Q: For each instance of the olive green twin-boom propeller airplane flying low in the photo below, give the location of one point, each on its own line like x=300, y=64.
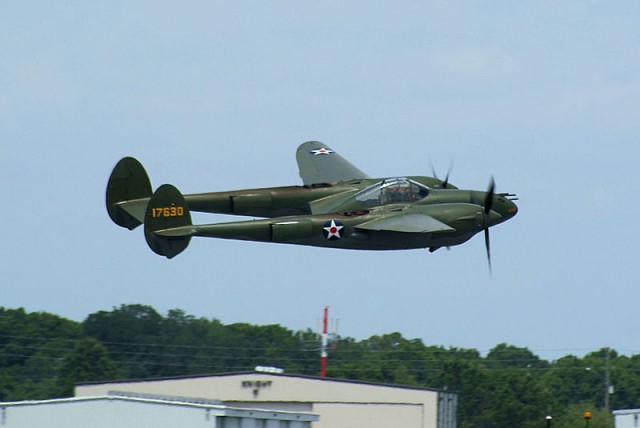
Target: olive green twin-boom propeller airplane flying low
x=338, y=206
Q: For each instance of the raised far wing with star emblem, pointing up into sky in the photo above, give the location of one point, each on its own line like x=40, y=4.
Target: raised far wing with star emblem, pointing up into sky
x=318, y=163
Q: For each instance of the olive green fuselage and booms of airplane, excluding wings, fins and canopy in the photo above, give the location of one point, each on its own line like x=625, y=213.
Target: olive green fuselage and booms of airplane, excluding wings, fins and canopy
x=290, y=216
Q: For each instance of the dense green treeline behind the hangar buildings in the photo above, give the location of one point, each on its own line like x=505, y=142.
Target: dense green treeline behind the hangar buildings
x=43, y=356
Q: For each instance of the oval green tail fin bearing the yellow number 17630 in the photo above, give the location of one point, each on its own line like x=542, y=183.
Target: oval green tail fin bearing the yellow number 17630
x=167, y=225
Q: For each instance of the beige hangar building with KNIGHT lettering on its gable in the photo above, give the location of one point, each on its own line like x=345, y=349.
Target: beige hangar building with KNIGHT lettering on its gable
x=339, y=403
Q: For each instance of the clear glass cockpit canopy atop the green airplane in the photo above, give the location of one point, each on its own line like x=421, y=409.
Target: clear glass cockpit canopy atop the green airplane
x=391, y=191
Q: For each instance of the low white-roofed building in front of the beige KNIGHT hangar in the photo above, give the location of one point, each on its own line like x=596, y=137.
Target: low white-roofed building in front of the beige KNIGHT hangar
x=137, y=410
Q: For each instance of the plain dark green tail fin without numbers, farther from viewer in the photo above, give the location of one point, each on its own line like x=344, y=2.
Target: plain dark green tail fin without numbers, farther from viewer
x=129, y=181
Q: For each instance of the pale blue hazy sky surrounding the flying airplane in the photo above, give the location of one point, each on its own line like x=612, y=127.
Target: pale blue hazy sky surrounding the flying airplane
x=211, y=96
